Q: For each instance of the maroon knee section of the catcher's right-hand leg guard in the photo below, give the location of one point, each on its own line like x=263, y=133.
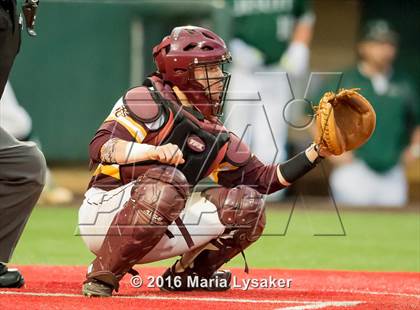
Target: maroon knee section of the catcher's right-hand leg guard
x=240, y=208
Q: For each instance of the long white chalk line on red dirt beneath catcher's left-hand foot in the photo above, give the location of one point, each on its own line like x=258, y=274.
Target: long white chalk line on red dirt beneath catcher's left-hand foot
x=204, y=299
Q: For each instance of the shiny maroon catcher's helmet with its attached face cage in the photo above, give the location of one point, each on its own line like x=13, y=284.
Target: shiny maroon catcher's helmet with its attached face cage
x=186, y=48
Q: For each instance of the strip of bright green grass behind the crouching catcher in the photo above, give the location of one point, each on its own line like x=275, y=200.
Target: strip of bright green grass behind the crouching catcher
x=377, y=241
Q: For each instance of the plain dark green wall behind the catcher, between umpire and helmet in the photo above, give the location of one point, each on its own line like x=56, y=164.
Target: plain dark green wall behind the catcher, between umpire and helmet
x=86, y=55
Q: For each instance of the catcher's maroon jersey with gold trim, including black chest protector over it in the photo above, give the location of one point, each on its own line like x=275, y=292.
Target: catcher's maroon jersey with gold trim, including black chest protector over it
x=153, y=114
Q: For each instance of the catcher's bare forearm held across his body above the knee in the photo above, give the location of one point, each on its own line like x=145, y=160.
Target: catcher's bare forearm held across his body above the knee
x=118, y=151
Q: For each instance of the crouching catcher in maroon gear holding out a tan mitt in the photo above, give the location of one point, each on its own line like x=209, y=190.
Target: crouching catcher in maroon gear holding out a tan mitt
x=159, y=141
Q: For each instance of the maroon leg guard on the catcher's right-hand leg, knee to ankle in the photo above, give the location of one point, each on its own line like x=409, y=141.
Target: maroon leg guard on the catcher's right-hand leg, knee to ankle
x=241, y=210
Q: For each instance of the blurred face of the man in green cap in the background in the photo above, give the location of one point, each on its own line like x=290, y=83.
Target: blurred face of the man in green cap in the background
x=379, y=54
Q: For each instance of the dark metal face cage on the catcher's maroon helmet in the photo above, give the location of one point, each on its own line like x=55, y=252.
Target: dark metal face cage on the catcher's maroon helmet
x=224, y=80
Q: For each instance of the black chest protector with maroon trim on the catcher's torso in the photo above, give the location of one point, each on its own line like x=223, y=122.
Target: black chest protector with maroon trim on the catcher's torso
x=203, y=144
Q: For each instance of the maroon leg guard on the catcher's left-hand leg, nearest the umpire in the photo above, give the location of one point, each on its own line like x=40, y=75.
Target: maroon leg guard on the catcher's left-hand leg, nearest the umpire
x=156, y=200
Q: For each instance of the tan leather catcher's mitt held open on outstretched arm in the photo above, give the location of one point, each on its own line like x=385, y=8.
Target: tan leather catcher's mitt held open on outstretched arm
x=344, y=121
